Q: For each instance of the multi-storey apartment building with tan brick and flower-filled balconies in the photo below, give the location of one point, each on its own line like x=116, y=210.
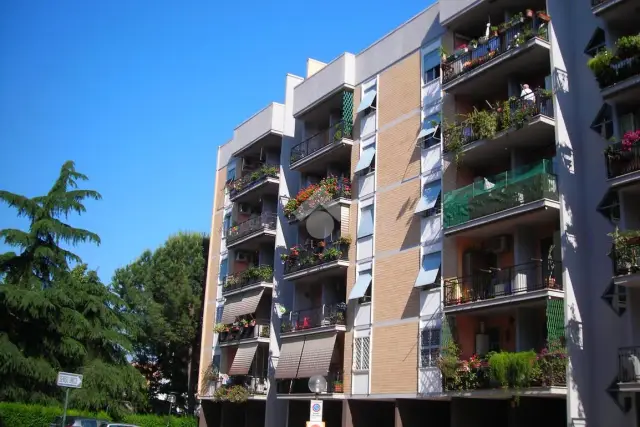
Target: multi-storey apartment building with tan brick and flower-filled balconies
x=440, y=229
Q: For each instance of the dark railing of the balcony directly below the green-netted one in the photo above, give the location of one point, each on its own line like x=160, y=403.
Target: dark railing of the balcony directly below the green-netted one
x=502, y=282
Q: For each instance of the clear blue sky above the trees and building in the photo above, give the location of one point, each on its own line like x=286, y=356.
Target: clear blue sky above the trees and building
x=141, y=93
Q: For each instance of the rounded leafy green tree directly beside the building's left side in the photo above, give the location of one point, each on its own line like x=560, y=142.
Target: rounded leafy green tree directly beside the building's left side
x=163, y=291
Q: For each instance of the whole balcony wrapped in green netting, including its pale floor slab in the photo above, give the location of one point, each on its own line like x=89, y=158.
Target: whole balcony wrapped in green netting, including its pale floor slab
x=528, y=194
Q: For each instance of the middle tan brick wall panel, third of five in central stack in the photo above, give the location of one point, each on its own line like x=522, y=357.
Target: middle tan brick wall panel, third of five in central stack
x=396, y=225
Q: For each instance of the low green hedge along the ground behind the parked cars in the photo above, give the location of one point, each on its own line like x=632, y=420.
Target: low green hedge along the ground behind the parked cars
x=22, y=415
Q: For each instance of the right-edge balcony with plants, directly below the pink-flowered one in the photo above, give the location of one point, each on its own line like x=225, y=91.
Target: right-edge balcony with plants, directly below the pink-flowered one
x=626, y=257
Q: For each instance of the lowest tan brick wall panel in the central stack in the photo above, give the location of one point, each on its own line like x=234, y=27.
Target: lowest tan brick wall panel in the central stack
x=395, y=359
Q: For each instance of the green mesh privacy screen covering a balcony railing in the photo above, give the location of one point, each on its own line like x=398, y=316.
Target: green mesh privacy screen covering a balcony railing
x=497, y=193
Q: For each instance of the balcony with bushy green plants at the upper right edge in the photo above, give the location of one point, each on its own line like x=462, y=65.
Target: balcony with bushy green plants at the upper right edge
x=618, y=72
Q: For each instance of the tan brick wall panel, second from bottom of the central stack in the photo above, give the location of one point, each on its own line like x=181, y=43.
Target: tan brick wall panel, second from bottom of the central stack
x=394, y=296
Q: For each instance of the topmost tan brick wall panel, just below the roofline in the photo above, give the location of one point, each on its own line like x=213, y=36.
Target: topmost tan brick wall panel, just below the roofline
x=399, y=90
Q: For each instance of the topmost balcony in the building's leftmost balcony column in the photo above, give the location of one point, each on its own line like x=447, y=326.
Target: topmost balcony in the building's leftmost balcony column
x=253, y=186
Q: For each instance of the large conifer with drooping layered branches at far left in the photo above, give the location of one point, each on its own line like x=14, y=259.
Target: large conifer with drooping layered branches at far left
x=54, y=318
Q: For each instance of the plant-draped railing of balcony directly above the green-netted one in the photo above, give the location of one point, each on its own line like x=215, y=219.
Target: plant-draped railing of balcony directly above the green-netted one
x=512, y=113
